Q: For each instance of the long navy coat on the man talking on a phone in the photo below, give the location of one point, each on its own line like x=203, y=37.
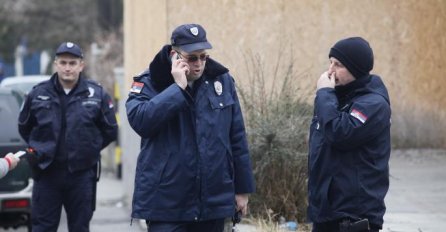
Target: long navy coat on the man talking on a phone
x=194, y=155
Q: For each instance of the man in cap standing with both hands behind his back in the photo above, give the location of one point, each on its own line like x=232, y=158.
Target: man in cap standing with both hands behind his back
x=67, y=120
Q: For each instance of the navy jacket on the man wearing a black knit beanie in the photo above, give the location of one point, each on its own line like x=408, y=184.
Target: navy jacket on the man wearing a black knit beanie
x=349, y=152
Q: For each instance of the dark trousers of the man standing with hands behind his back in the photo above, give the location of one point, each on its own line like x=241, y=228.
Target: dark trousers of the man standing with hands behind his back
x=57, y=187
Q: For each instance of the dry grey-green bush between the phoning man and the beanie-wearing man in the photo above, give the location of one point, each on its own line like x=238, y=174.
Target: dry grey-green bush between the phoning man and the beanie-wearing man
x=277, y=118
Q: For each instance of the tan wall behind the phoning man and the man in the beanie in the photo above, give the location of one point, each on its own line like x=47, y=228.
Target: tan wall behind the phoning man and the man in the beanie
x=407, y=38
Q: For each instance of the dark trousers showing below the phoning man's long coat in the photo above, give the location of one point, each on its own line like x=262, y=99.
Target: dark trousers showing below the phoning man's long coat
x=203, y=226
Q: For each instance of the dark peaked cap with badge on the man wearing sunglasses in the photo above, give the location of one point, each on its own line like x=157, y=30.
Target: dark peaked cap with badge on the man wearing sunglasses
x=190, y=37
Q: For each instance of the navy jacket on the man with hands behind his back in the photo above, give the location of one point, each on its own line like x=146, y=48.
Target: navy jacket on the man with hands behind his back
x=90, y=123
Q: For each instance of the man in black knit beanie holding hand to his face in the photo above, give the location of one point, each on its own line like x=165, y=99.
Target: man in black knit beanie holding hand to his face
x=349, y=143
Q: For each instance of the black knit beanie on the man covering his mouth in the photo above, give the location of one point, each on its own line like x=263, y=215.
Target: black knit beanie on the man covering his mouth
x=355, y=54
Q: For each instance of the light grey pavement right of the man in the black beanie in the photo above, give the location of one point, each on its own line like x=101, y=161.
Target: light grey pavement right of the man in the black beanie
x=416, y=201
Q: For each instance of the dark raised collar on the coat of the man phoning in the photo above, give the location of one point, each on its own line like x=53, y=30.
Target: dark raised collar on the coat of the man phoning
x=160, y=69
